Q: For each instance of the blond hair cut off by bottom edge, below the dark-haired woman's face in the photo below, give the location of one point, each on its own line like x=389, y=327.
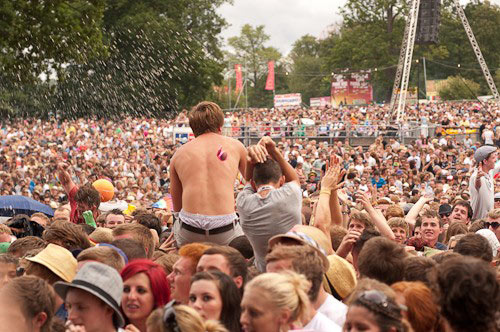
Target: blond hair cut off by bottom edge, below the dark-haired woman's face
x=188, y=320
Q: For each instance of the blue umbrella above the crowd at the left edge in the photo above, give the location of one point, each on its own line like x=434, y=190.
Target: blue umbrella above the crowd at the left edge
x=17, y=204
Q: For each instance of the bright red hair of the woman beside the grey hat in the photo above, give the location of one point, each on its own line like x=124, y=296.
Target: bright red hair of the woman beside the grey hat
x=156, y=275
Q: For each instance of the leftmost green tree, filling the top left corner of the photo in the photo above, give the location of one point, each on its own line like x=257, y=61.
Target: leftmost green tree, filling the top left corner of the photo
x=38, y=37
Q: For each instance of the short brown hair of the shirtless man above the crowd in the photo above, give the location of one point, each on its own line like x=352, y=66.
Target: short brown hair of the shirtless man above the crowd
x=206, y=117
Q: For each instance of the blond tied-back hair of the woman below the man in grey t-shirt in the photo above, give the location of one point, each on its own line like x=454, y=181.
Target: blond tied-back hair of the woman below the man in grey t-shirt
x=285, y=290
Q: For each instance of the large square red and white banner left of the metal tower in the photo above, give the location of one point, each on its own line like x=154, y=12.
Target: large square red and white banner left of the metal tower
x=351, y=89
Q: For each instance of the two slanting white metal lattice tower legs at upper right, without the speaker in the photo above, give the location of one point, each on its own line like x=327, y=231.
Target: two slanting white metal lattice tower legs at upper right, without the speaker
x=400, y=87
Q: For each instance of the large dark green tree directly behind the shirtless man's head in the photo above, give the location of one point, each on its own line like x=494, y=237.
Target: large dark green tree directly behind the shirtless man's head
x=162, y=57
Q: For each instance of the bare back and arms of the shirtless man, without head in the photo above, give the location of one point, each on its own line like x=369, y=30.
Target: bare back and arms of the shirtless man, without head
x=206, y=182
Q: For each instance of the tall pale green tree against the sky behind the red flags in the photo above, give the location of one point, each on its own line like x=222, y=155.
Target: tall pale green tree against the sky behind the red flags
x=249, y=48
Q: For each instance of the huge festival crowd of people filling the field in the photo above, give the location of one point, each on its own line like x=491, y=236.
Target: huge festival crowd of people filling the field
x=293, y=233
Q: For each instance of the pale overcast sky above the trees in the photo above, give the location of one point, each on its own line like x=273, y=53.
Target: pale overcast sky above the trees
x=285, y=20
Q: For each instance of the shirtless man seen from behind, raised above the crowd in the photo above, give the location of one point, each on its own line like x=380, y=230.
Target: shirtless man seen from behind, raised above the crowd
x=202, y=177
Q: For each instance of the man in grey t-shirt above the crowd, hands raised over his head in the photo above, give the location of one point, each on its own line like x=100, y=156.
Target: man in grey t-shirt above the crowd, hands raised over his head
x=272, y=203
